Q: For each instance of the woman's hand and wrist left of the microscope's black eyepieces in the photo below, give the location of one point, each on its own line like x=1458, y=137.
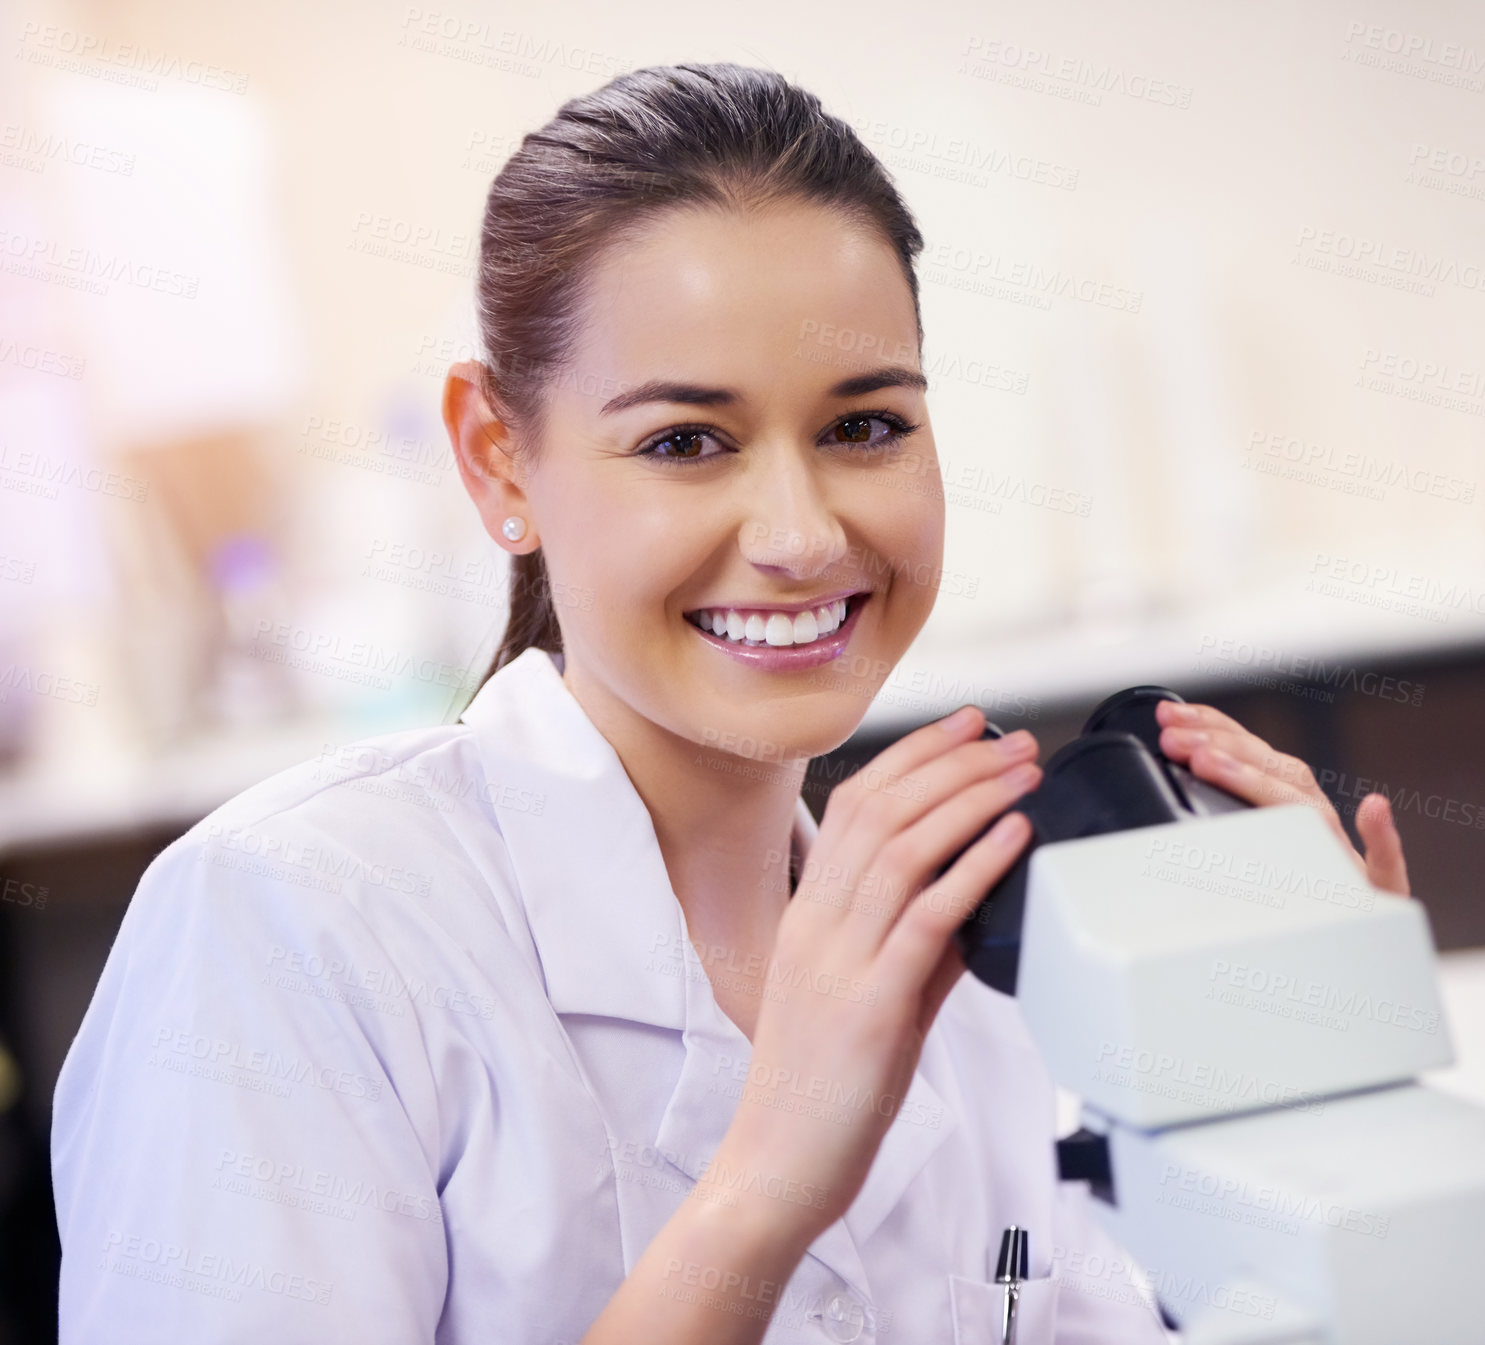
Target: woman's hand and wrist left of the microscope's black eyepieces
x=865, y=958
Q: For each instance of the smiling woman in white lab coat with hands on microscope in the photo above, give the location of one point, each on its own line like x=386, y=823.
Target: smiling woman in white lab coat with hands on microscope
x=535, y=1028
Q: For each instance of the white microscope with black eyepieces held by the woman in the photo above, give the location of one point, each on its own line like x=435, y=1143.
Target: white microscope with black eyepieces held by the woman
x=1244, y=1019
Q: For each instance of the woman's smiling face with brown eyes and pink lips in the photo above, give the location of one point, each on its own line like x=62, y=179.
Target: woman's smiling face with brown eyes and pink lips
x=746, y=492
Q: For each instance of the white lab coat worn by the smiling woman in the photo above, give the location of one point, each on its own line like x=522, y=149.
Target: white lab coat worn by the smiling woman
x=409, y=1044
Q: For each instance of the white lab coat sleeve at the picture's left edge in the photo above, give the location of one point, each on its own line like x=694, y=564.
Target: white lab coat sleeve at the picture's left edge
x=246, y=1145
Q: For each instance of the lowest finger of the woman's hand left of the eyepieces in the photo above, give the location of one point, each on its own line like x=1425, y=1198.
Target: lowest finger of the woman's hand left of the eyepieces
x=916, y=945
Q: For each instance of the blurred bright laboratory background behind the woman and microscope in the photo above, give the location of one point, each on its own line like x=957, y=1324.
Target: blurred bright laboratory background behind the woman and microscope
x=1205, y=308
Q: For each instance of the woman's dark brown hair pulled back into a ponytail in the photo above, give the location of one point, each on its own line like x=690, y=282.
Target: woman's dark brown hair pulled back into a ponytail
x=657, y=139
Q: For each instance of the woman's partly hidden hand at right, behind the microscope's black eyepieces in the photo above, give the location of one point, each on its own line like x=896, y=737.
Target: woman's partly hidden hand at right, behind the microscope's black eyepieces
x=1220, y=750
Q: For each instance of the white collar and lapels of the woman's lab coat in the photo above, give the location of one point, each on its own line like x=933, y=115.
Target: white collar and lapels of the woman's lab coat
x=601, y=905
